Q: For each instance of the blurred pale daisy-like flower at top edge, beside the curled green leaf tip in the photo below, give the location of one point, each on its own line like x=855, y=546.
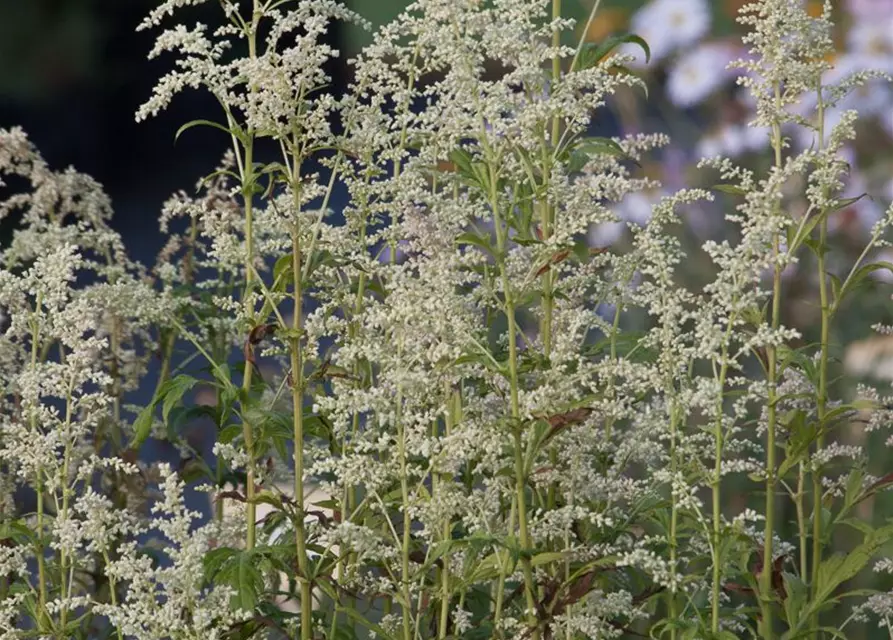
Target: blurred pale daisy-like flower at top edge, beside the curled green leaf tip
x=667, y=25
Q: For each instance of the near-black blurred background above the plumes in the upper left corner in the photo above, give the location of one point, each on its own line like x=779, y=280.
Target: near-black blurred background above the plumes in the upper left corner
x=72, y=75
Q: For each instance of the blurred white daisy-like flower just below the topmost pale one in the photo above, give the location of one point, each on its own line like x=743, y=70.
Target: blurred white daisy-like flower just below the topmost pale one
x=699, y=73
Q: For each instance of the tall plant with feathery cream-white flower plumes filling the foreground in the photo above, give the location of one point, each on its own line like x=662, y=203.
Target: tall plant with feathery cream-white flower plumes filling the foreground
x=462, y=419
